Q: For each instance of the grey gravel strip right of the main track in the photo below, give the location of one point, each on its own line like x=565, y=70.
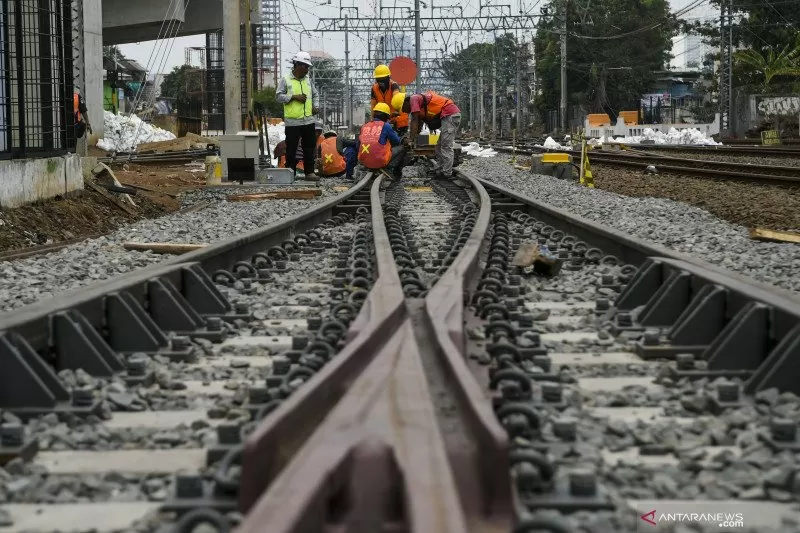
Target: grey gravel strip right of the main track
x=674, y=225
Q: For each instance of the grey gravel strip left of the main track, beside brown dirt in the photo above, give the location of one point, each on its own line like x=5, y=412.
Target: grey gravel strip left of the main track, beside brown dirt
x=33, y=279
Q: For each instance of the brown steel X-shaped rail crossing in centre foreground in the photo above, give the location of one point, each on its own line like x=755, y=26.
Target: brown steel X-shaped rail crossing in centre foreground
x=380, y=452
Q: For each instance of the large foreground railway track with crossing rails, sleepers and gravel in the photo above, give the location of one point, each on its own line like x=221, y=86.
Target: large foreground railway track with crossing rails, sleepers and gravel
x=376, y=363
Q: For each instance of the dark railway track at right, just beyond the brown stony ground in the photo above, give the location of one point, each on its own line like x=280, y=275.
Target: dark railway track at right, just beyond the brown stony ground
x=684, y=166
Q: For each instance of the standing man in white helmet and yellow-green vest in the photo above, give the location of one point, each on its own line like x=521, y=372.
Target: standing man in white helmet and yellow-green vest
x=296, y=93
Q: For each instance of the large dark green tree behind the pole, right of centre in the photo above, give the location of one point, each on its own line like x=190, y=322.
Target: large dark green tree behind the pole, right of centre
x=614, y=50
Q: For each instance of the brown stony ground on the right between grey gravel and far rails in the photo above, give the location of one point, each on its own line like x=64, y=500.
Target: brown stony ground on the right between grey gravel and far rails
x=748, y=204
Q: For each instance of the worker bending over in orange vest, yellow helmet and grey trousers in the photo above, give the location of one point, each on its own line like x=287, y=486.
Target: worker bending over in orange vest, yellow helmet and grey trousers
x=438, y=113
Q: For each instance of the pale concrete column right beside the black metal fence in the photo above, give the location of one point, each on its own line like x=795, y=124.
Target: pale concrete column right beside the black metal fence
x=93, y=64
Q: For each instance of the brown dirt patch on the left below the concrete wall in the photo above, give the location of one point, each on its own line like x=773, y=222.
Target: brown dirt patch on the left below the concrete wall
x=91, y=213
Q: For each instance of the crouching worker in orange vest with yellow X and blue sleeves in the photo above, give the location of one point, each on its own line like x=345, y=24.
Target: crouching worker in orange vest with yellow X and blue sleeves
x=374, y=151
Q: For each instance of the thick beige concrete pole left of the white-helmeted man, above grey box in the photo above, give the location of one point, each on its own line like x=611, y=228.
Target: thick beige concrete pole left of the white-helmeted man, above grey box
x=231, y=20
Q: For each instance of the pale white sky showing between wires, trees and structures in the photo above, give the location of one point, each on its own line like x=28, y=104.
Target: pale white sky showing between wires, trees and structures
x=299, y=15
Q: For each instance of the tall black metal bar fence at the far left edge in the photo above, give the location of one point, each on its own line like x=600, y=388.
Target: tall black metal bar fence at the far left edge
x=36, y=115
